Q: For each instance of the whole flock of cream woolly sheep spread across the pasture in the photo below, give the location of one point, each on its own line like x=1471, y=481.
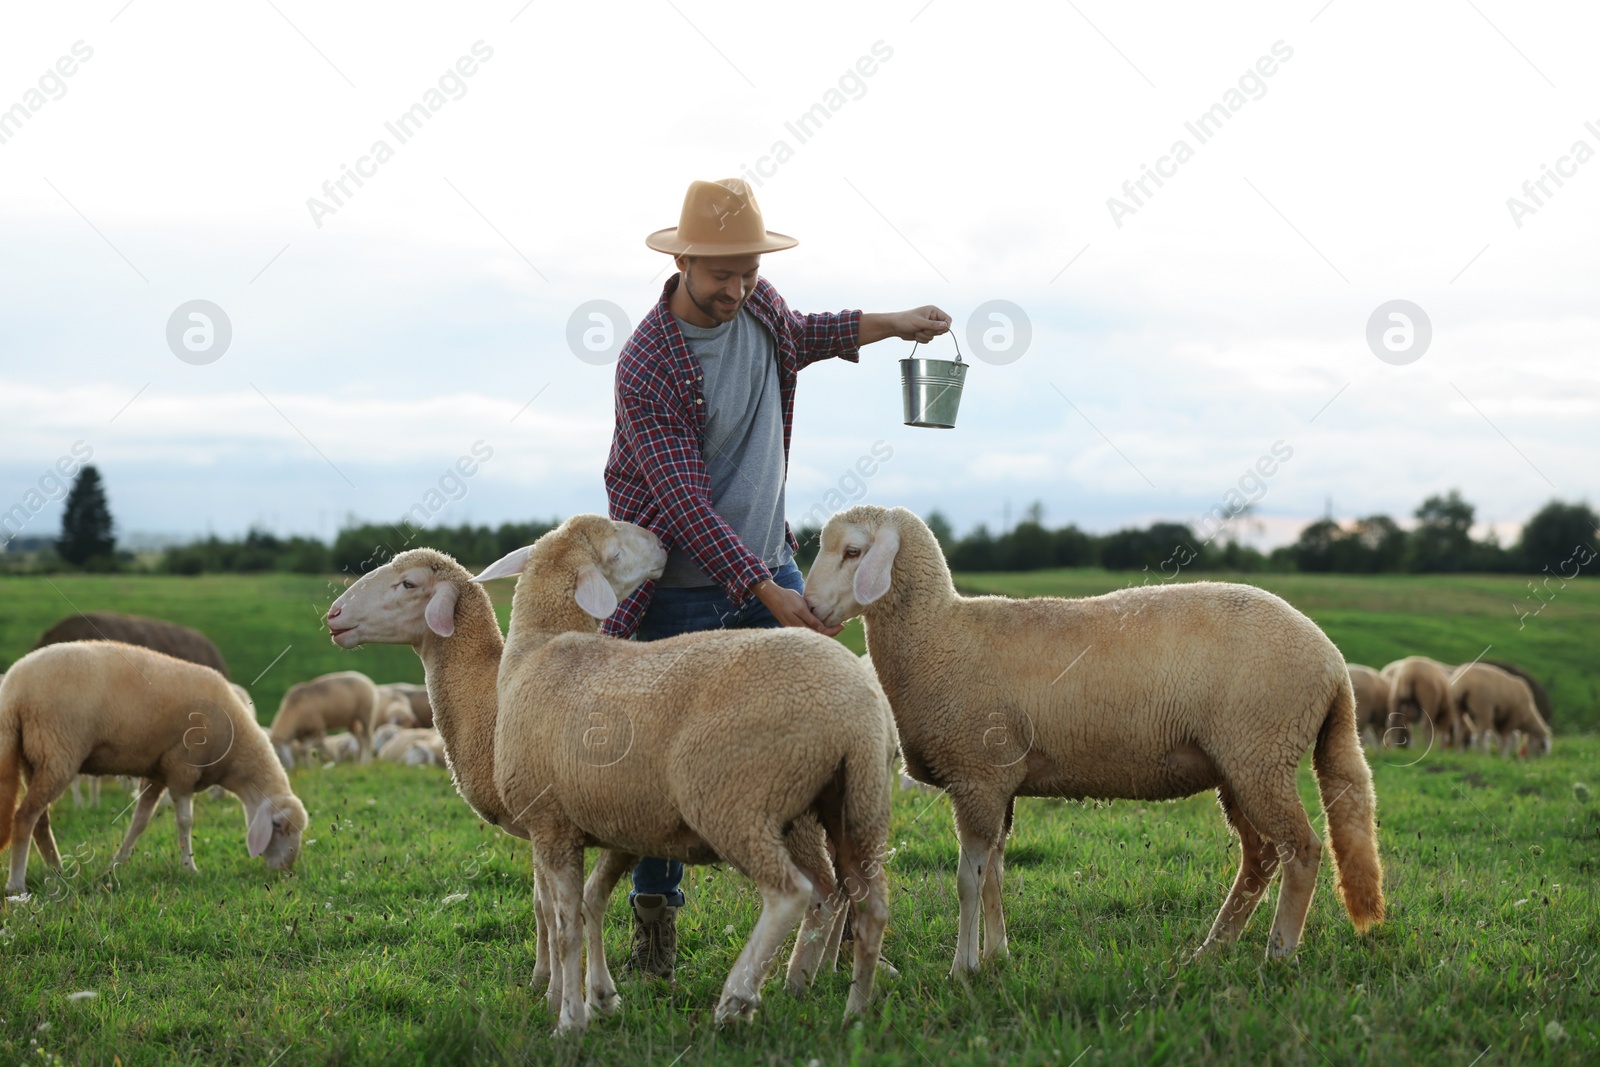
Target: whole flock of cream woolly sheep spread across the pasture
x=770, y=751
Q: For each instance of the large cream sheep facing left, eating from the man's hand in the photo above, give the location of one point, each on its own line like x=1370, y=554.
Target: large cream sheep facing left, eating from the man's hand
x=1150, y=693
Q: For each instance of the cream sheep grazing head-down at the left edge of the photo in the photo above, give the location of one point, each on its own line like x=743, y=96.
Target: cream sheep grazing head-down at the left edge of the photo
x=108, y=708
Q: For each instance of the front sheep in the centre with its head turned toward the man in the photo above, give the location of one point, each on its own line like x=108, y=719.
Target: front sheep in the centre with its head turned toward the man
x=700, y=748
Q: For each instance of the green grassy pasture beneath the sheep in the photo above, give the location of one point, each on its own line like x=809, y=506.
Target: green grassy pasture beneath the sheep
x=406, y=932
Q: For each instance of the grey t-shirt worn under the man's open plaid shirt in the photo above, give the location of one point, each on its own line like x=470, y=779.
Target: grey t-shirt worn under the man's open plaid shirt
x=743, y=444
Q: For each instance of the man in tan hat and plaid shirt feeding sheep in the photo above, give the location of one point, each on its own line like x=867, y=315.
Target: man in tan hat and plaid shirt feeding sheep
x=705, y=402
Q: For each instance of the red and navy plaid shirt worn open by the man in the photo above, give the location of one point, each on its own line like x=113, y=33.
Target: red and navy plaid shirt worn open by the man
x=657, y=474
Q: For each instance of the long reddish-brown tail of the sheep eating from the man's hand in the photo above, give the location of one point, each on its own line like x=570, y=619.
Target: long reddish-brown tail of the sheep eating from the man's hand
x=1351, y=807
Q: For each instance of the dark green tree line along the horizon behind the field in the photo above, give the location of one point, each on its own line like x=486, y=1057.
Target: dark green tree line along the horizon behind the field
x=1558, y=540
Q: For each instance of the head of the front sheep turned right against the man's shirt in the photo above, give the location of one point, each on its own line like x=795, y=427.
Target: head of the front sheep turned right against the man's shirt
x=594, y=561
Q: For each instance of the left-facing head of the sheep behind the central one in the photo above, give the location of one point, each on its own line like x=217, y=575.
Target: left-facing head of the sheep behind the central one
x=402, y=602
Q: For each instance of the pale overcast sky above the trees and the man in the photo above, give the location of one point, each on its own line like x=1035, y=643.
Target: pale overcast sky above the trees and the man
x=959, y=154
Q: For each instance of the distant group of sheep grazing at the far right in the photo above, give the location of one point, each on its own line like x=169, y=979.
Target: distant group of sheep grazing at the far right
x=1465, y=706
